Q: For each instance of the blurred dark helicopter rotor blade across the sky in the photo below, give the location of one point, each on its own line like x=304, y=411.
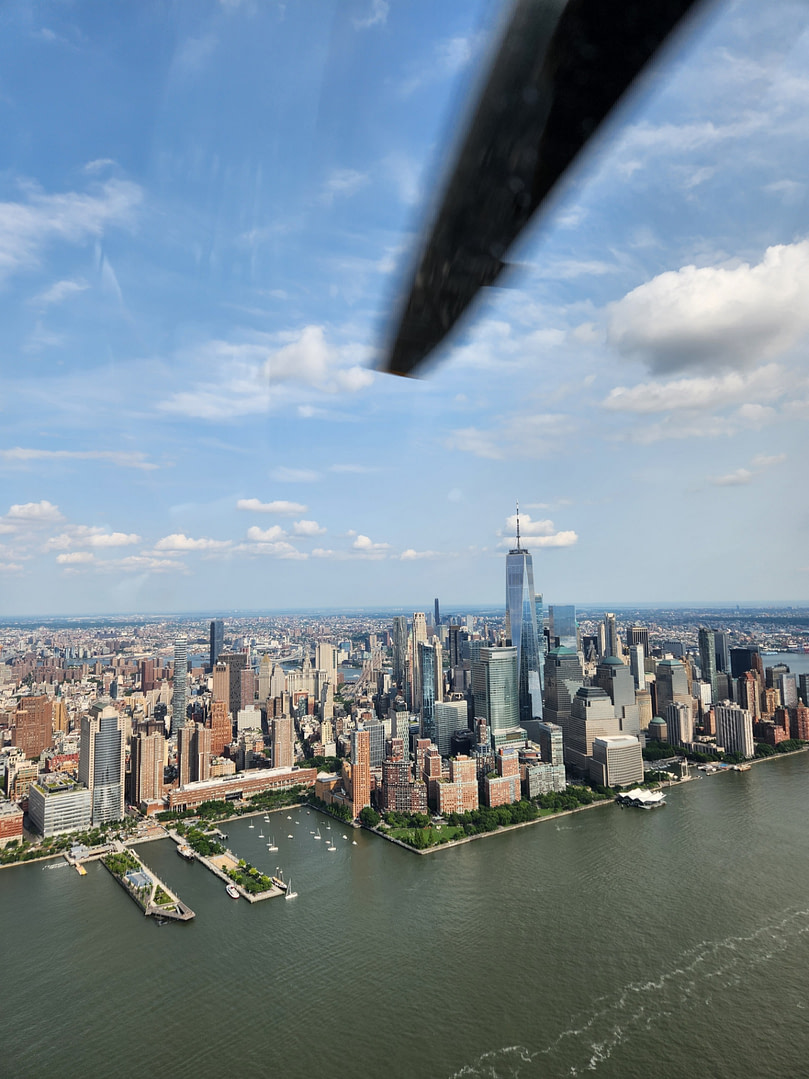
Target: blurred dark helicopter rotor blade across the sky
x=560, y=69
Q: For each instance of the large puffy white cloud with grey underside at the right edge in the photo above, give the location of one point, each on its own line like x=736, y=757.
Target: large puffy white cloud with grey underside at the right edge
x=721, y=317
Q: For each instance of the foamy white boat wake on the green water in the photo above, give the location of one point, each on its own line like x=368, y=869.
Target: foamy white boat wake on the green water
x=700, y=974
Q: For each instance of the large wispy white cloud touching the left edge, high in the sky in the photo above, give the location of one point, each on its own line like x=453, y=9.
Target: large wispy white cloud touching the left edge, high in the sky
x=29, y=227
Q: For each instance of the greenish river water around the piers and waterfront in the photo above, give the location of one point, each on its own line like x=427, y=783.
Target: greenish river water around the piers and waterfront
x=614, y=943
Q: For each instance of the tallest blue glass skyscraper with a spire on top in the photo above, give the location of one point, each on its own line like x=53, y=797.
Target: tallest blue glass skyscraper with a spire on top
x=522, y=629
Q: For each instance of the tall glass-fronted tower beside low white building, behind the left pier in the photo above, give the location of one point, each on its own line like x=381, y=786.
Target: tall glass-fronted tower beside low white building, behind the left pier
x=102, y=762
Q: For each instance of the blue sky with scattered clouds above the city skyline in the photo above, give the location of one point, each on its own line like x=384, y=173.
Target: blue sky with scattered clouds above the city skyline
x=208, y=214
